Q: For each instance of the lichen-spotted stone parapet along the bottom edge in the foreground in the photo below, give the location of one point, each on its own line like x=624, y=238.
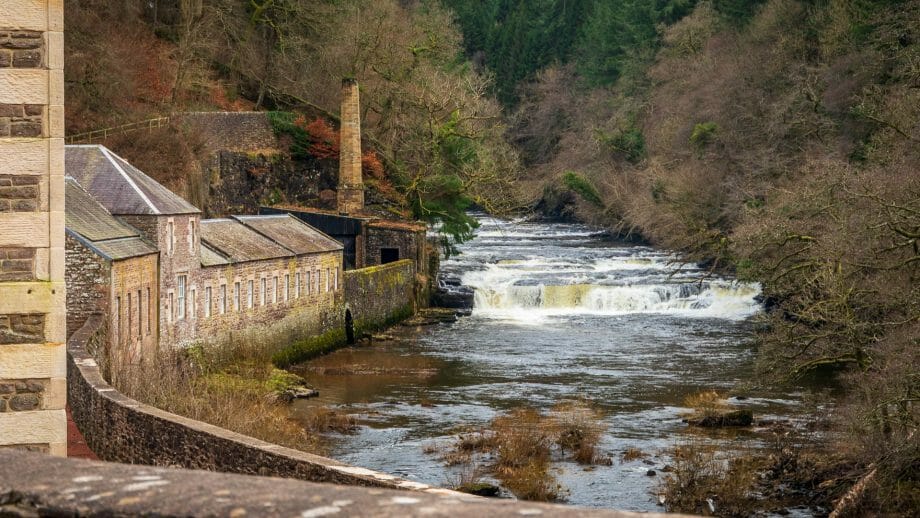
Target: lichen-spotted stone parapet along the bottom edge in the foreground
x=33, y=486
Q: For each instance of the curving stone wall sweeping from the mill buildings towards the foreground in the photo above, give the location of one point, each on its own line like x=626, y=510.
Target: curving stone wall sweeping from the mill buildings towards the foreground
x=120, y=429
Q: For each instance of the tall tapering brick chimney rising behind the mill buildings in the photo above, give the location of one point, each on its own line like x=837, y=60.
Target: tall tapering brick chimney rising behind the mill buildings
x=350, y=193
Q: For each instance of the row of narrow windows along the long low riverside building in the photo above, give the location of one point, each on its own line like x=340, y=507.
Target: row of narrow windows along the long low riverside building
x=291, y=286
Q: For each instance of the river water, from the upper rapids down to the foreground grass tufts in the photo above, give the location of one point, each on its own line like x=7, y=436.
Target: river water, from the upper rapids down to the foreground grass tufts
x=560, y=313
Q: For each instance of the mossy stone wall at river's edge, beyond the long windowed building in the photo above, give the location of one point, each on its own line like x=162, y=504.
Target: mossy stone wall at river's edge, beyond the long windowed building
x=378, y=295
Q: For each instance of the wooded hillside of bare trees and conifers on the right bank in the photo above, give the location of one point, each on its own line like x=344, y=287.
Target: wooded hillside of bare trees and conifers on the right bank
x=777, y=139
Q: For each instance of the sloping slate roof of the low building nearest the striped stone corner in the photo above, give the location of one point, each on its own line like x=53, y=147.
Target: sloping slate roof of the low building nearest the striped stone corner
x=88, y=221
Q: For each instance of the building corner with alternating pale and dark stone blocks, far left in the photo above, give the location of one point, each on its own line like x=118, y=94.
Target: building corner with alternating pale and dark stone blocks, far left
x=32, y=289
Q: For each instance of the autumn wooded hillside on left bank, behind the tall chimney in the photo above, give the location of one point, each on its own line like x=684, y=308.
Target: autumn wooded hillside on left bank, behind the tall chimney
x=428, y=116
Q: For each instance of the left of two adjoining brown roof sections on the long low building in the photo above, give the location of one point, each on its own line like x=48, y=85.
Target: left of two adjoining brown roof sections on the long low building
x=238, y=243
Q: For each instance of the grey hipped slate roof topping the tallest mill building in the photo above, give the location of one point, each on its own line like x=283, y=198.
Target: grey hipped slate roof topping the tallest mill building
x=120, y=187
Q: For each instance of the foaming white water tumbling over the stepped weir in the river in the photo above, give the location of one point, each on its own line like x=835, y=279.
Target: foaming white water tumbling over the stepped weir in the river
x=597, y=281
